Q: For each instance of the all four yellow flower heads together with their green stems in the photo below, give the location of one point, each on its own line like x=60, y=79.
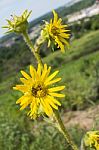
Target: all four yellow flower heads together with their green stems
x=39, y=90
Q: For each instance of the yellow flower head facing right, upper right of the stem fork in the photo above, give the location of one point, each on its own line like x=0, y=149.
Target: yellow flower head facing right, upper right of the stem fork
x=56, y=33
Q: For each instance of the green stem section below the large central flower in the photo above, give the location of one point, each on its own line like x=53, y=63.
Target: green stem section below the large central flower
x=64, y=131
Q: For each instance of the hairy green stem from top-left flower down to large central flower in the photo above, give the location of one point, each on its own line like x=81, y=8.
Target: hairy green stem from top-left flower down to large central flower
x=30, y=45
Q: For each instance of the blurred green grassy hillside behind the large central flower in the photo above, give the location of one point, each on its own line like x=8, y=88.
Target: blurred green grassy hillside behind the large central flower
x=79, y=69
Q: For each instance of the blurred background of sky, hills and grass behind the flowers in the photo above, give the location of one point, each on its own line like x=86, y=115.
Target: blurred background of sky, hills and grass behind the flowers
x=79, y=69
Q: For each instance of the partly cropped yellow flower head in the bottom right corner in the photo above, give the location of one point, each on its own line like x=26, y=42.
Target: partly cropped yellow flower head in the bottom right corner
x=91, y=139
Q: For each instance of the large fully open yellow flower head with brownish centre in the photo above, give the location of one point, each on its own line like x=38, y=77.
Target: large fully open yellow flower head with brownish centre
x=39, y=91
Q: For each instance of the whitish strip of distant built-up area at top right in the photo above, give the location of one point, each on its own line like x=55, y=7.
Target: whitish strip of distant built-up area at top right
x=88, y=12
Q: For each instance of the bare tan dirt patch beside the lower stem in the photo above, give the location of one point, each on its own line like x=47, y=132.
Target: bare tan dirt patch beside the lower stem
x=86, y=119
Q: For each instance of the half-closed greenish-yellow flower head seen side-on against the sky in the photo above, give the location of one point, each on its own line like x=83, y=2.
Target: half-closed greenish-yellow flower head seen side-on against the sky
x=18, y=24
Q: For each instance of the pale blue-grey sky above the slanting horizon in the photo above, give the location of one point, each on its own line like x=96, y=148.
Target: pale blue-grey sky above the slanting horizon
x=38, y=7
